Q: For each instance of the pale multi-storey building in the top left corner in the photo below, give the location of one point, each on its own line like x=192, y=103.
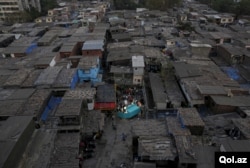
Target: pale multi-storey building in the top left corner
x=10, y=9
